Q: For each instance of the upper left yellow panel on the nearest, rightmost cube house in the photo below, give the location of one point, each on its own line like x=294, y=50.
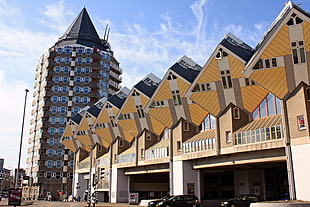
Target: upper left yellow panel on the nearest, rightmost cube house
x=279, y=46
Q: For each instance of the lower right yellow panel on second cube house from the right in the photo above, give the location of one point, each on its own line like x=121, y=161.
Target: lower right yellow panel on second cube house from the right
x=252, y=96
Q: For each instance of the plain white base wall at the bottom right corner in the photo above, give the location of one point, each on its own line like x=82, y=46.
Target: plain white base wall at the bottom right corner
x=300, y=156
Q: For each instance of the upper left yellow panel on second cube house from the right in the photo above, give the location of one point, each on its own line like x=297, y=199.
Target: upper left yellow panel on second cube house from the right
x=210, y=73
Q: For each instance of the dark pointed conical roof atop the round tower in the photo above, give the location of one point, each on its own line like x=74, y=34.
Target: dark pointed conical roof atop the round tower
x=82, y=31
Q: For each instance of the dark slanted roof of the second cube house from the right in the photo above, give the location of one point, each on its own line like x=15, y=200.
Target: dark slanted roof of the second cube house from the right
x=242, y=52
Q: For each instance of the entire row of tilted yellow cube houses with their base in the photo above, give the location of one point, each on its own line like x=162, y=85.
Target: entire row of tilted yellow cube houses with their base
x=239, y=124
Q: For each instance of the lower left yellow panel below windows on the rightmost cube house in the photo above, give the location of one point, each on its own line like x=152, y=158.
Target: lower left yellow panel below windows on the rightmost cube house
x=274, y=80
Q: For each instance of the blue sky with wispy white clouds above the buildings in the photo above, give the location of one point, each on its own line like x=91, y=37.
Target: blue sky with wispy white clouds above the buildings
x=146, y=36
